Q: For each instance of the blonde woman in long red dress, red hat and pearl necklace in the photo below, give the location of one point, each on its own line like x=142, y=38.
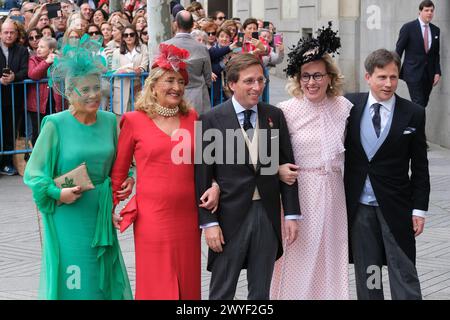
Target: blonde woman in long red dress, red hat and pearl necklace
x=164, y=209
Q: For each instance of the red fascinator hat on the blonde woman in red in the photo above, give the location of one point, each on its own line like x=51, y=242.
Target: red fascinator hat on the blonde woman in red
x=173, y=58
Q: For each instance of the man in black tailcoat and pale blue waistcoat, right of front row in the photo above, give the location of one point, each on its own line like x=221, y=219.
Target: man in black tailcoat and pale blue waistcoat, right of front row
x=386, y=204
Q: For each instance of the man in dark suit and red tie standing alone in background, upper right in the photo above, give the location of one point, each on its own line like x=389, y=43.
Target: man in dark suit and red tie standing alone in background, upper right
x=419, y=40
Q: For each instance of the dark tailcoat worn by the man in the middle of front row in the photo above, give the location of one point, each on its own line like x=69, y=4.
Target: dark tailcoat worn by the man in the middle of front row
x=238, y=181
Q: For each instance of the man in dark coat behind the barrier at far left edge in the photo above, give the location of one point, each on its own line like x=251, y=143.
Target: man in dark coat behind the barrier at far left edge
x=14, y=68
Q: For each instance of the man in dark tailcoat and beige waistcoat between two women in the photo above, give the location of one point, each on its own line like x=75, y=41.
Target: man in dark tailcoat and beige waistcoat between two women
x=250, y=140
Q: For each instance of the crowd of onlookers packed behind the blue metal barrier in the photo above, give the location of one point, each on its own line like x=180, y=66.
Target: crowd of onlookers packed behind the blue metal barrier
x=124, y=36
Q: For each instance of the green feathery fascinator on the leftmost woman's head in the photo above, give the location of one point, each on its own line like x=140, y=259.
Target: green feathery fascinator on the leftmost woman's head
x=77, y=59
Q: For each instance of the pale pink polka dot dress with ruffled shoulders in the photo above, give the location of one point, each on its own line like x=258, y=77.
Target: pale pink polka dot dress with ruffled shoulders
x=315, y=266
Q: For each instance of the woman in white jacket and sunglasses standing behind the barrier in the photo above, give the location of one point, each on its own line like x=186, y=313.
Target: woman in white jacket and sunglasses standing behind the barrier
x=130, y=57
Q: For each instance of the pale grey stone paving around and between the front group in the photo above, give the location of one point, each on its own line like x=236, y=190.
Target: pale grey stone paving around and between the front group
x=20, y=243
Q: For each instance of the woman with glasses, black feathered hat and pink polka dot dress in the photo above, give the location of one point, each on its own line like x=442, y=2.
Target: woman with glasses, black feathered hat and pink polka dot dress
x=315, y=266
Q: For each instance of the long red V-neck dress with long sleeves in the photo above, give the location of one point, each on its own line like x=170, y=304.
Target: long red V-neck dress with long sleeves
x=166, y=231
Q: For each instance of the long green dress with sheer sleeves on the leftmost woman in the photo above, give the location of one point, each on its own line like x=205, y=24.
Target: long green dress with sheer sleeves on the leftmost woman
x=81, y=256
